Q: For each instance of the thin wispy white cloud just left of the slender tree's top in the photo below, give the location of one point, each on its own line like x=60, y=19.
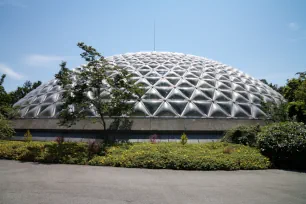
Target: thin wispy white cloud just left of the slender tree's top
x=37, y=60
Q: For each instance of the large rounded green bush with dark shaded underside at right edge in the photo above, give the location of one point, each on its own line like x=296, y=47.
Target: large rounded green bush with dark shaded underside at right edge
x=285, y=144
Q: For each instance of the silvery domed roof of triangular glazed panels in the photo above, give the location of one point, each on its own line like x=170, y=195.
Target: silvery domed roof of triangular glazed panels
x=177, y=85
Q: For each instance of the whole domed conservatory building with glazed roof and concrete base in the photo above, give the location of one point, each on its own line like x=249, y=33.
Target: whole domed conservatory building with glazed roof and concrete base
x=183, y=93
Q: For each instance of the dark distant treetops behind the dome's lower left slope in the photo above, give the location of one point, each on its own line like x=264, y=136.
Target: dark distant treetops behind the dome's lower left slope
x=23, y=91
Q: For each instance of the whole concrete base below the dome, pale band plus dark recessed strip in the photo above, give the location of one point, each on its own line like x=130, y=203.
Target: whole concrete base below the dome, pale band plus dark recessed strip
x=168, y=130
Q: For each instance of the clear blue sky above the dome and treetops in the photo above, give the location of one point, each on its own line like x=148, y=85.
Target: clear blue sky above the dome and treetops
x=264, y=38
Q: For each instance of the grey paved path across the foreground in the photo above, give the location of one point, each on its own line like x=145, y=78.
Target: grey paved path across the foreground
x=30, y=183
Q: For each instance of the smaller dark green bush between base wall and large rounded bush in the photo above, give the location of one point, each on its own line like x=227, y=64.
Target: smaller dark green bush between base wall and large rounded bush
x=246, y=135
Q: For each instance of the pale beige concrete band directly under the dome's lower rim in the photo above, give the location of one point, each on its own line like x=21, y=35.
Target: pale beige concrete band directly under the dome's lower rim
x=141, y=124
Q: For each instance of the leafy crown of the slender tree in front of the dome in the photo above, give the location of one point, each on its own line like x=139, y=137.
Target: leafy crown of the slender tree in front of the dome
x=109, y=89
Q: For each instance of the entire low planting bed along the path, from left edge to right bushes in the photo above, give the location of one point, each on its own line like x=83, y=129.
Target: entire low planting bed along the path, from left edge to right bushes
x=208, y=156
